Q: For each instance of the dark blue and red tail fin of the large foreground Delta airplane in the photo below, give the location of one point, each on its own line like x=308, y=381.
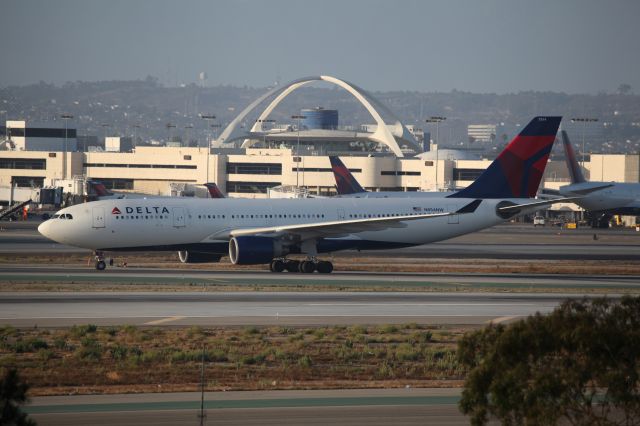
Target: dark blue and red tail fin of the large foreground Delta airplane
x=517, y=171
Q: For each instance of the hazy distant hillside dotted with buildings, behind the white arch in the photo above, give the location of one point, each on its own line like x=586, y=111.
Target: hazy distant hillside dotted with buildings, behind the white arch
x=115, y=107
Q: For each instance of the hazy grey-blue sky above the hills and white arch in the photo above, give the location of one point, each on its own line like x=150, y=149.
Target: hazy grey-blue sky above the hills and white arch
x=575, y=46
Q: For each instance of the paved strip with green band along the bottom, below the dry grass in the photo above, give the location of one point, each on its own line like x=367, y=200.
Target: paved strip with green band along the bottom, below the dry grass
x=336, y=407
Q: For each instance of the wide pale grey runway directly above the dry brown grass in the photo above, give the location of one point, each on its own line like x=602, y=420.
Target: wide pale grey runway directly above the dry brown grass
x=267, y=308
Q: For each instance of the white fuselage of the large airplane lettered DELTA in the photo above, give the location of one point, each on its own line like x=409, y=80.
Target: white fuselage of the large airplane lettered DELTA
x=146, y=223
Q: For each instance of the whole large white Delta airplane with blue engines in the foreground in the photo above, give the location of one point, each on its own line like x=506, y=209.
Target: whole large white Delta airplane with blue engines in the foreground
x=266, y=231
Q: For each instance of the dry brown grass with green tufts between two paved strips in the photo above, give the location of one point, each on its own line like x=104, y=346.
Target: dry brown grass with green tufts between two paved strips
x=89, y=359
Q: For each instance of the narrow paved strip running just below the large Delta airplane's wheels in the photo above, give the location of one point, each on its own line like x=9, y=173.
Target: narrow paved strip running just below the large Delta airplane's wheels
x=251, y=279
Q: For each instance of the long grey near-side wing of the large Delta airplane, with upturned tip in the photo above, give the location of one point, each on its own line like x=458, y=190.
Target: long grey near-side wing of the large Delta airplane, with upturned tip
x=306, y=231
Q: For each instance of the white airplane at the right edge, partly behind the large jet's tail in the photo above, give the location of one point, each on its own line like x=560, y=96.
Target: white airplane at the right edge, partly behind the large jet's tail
x=602, y=200
